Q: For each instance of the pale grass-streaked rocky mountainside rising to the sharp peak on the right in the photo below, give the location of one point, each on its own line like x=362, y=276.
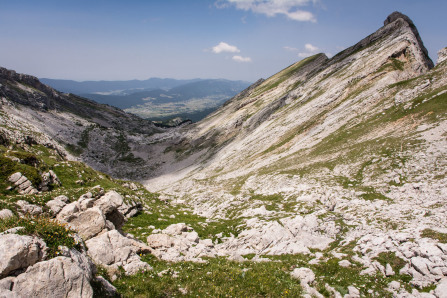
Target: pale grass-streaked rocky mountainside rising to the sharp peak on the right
x=354, y=141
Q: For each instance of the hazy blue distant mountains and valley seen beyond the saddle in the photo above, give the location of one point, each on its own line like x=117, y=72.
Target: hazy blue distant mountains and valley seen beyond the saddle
x=156, y=99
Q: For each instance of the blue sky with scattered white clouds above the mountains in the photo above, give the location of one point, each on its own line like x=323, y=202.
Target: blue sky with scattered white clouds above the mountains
x=185, y=39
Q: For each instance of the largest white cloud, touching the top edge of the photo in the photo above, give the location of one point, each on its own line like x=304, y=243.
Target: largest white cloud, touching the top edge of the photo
x=271, y=8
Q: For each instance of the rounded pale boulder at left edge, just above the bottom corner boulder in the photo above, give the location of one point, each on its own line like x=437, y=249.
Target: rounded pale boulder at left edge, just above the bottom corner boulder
x=19, y=252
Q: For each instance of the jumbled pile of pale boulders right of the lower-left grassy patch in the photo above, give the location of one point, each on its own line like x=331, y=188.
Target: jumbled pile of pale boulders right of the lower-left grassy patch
x=96, y=216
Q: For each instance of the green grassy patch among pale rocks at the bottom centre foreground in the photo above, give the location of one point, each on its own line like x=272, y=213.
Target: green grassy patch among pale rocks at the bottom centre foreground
x=217, y=277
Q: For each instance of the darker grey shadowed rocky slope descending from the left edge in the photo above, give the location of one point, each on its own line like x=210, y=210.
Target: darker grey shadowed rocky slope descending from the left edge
x=105, y=137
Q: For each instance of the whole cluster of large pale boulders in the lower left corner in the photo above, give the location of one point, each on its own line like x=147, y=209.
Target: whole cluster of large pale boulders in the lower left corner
x=26, y=270
